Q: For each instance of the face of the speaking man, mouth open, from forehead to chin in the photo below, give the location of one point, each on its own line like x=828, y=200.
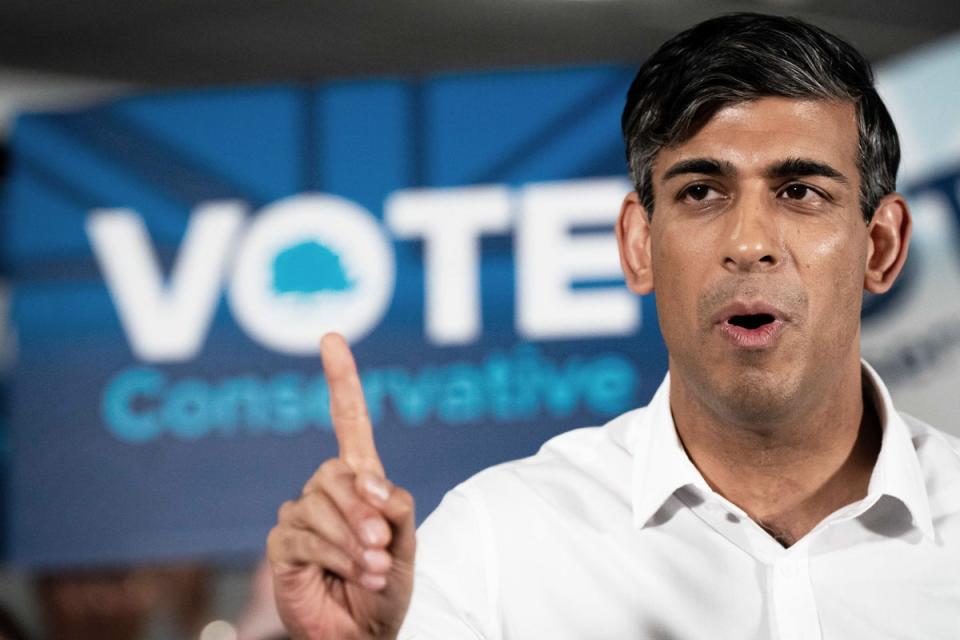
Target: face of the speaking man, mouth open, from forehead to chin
x=758, y=251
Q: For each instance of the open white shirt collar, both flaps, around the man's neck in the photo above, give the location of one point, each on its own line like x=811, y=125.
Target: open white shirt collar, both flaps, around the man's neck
x=661, y=465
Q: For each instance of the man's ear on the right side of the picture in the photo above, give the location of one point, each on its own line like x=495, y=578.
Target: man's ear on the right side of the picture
x=888, y=240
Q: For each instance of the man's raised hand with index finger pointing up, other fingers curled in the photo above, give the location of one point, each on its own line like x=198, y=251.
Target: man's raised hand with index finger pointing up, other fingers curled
x=342, y=554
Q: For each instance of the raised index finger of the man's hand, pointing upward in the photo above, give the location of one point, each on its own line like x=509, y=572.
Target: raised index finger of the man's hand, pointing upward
x=348, y=410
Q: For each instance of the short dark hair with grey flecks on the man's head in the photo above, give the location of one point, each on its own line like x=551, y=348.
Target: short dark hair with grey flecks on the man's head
x=745, y=56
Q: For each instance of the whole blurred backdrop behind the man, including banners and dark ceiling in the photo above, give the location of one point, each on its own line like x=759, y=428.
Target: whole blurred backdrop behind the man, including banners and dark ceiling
x=193, y=192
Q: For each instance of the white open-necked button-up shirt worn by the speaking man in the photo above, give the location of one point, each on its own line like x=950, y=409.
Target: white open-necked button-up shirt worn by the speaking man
x=612, y=533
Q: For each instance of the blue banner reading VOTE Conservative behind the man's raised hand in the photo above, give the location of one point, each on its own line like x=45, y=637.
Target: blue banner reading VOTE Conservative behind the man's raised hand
x=176, y=257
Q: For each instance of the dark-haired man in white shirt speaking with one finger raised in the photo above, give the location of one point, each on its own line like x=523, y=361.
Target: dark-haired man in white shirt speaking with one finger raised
x=770, y=489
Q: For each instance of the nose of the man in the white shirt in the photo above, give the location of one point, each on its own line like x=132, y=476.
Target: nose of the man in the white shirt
x=751, y=238
